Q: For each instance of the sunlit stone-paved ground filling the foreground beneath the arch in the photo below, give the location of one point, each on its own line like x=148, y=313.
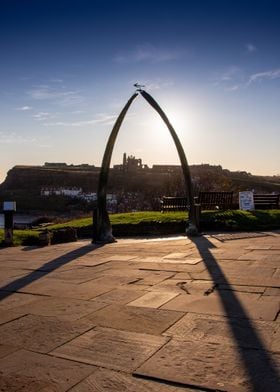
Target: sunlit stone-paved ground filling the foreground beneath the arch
x=142, y=315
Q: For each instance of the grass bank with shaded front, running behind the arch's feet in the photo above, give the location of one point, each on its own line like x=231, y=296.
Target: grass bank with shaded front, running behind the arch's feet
x=152, y=222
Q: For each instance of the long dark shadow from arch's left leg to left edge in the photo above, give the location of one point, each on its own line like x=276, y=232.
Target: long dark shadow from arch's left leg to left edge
x=44, y=270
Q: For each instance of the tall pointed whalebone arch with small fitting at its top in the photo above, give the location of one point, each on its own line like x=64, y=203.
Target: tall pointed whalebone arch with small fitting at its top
x=102, y=229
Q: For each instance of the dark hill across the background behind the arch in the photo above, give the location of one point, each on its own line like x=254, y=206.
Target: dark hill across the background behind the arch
x=24, y=184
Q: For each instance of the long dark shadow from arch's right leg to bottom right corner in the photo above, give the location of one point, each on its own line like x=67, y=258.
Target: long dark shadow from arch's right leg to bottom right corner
x=260, y=366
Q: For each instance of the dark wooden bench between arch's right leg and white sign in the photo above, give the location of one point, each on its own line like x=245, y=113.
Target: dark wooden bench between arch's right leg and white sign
x=215, y=200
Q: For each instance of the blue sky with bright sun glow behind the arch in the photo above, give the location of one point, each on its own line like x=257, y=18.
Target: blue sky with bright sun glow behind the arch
x=68, y=67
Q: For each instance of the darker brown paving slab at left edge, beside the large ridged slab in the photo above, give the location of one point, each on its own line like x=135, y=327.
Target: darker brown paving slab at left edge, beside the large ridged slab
x=40, y=334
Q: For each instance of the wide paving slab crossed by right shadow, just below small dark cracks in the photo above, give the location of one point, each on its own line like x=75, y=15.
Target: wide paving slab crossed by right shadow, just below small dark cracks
x=235, y=305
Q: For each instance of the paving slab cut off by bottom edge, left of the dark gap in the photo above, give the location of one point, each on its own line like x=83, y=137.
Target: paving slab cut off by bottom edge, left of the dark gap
x=103, y=380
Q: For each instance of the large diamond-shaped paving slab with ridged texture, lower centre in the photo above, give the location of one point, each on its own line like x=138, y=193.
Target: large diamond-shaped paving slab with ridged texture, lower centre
x=111, y=348
